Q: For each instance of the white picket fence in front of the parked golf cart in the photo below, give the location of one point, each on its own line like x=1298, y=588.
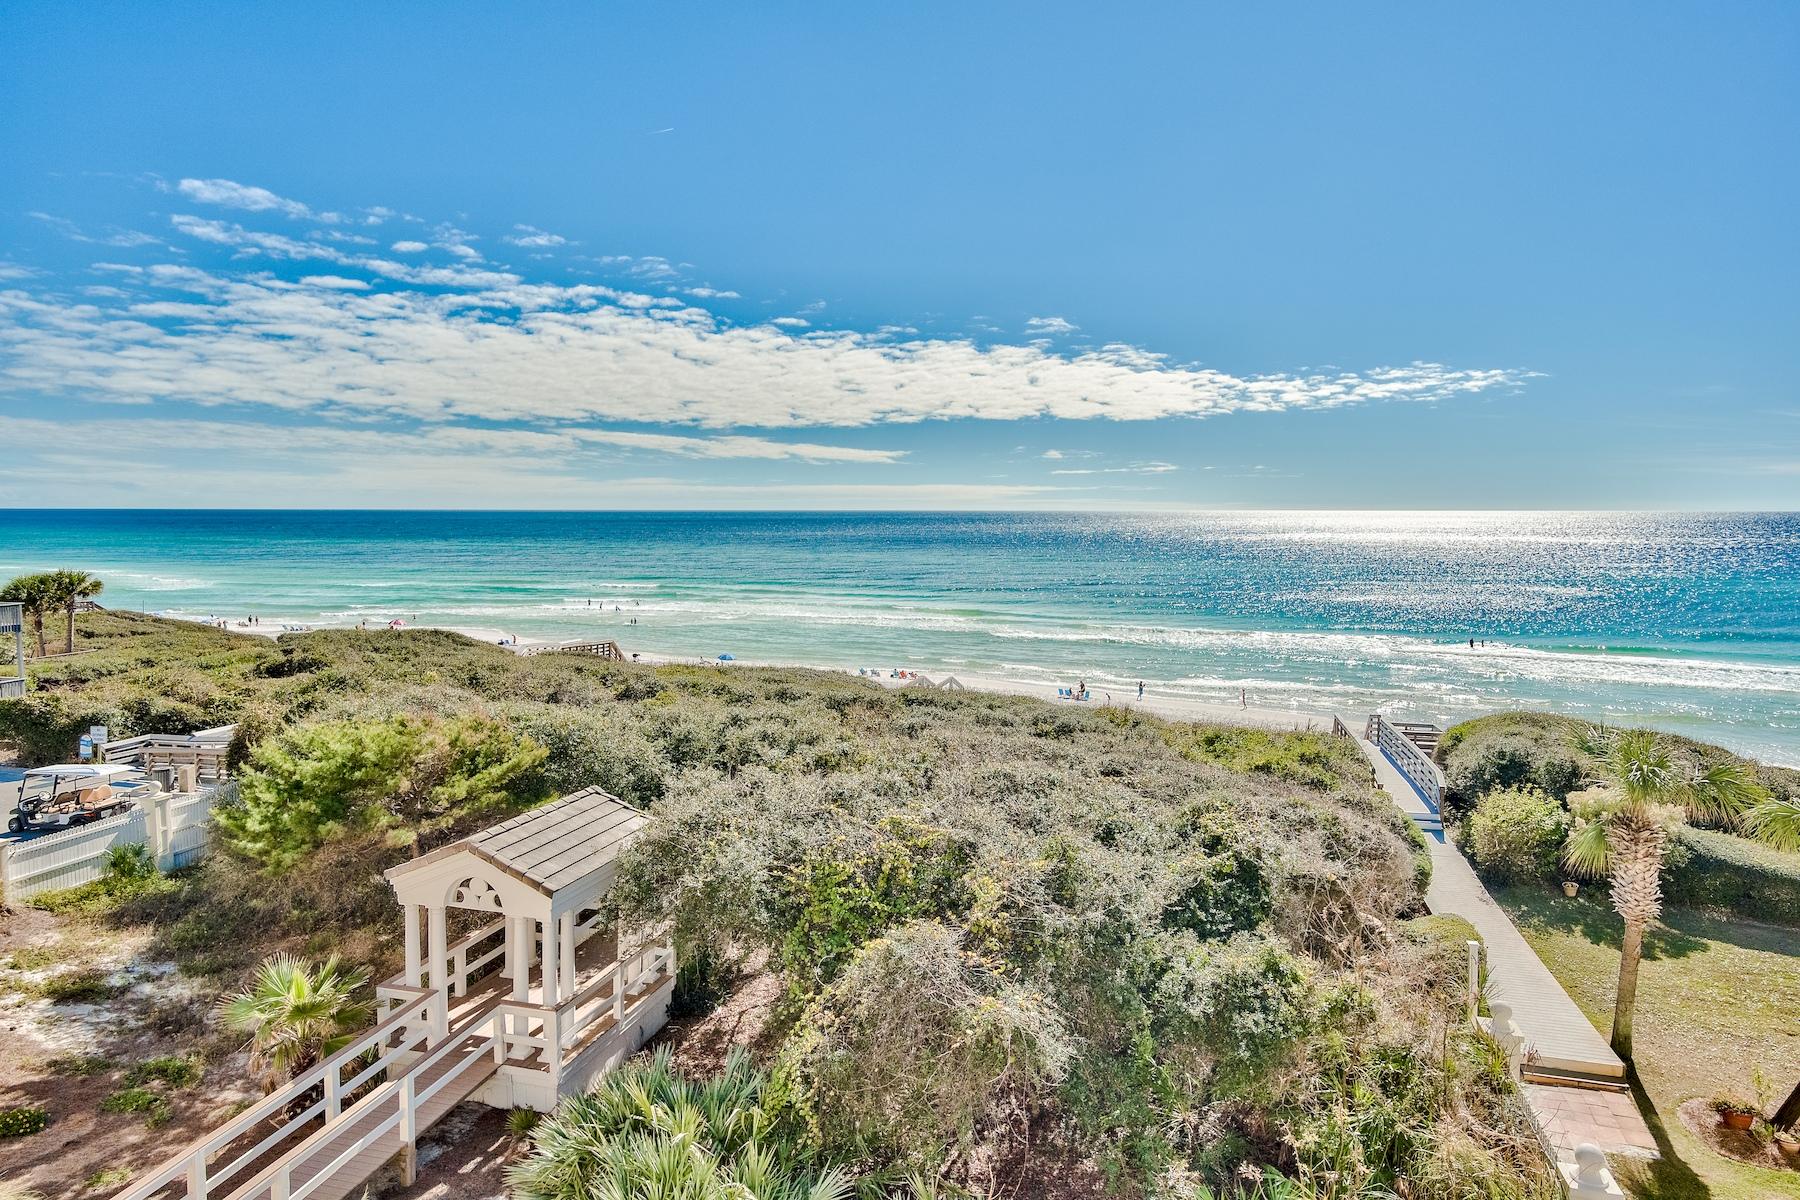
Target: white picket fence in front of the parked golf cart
x=172, y=825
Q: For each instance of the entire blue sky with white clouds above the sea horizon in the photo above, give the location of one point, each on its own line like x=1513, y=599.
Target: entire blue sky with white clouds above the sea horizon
x=926, y=256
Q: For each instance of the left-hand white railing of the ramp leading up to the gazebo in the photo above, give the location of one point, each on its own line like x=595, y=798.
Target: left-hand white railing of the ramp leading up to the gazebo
x=413, y=1025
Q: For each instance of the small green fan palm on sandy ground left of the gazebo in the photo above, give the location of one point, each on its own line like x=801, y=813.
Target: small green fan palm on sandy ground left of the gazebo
x=296, y=1014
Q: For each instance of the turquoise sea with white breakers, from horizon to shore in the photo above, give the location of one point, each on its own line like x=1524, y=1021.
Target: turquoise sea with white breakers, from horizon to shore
x=1686, y=622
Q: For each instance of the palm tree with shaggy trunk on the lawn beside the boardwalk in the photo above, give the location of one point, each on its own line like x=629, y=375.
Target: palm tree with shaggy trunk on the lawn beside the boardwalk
x=1646, y=793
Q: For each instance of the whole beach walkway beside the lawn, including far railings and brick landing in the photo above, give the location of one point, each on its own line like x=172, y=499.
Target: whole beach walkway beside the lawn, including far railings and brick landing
x=1574, y=1082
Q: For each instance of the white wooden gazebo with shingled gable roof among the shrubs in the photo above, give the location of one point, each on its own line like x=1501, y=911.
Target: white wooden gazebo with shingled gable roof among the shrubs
x=573, y=994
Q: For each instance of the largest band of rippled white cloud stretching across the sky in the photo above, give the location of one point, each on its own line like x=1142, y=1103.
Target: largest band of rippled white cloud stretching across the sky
x=469, y=345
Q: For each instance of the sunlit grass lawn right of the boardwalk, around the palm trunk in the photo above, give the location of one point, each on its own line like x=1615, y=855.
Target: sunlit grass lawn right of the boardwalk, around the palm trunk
x=1718, y=998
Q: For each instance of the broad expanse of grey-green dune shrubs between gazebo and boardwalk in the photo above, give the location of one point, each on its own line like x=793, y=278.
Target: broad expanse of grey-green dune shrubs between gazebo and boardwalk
x=1063, y=949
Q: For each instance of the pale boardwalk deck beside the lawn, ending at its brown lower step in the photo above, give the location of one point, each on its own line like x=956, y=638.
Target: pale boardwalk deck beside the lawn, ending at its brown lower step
x=1558, y=1035
